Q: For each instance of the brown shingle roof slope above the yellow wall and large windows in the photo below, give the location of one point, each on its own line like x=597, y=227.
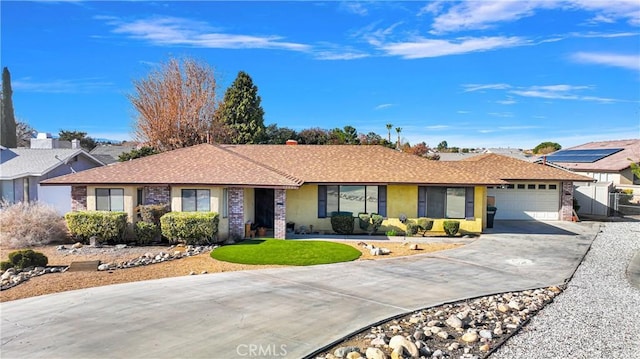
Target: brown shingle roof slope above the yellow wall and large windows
x=357, y=164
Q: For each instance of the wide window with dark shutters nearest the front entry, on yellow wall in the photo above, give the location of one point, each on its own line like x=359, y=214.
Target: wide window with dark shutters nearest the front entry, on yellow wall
x=355, y=199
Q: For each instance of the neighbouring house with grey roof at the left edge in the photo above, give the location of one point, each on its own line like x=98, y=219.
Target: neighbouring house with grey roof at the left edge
x=22, y=170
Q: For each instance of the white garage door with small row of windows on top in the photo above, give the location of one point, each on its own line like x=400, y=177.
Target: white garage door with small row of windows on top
x=527, y=201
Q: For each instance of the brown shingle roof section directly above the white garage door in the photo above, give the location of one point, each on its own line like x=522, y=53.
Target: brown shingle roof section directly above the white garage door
x=509, y=168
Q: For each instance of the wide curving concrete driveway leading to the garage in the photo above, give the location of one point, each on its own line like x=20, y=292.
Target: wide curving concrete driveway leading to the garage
x=287, y=312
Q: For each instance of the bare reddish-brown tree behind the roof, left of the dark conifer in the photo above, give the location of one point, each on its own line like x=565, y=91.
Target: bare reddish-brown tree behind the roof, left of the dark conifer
x=176, y=105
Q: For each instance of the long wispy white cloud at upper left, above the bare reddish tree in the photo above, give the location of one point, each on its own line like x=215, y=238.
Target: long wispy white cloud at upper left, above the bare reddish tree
x=173, y=31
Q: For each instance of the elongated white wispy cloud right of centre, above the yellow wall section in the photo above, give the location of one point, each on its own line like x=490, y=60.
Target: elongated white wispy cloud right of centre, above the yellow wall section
x=421, y=47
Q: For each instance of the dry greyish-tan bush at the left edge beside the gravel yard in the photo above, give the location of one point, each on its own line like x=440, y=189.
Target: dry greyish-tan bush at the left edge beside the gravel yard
x=25, y=224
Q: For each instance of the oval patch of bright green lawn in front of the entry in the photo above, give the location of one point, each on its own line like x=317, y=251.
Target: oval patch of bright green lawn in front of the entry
x=277, y=251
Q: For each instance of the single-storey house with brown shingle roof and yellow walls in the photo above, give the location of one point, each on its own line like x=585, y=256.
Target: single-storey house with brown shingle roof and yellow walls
x=303, y=184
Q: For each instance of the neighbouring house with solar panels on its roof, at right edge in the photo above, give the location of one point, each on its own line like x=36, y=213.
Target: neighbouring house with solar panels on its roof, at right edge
x=609, y=164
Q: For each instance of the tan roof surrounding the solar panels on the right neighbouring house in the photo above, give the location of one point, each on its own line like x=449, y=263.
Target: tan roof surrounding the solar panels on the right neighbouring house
x=613, y=163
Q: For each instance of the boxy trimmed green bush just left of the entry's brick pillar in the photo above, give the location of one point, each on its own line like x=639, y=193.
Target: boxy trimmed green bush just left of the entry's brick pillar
x=190, y=227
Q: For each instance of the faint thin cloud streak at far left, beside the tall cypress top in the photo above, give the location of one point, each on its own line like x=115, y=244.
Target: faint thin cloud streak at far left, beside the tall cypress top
x=85, y=85
